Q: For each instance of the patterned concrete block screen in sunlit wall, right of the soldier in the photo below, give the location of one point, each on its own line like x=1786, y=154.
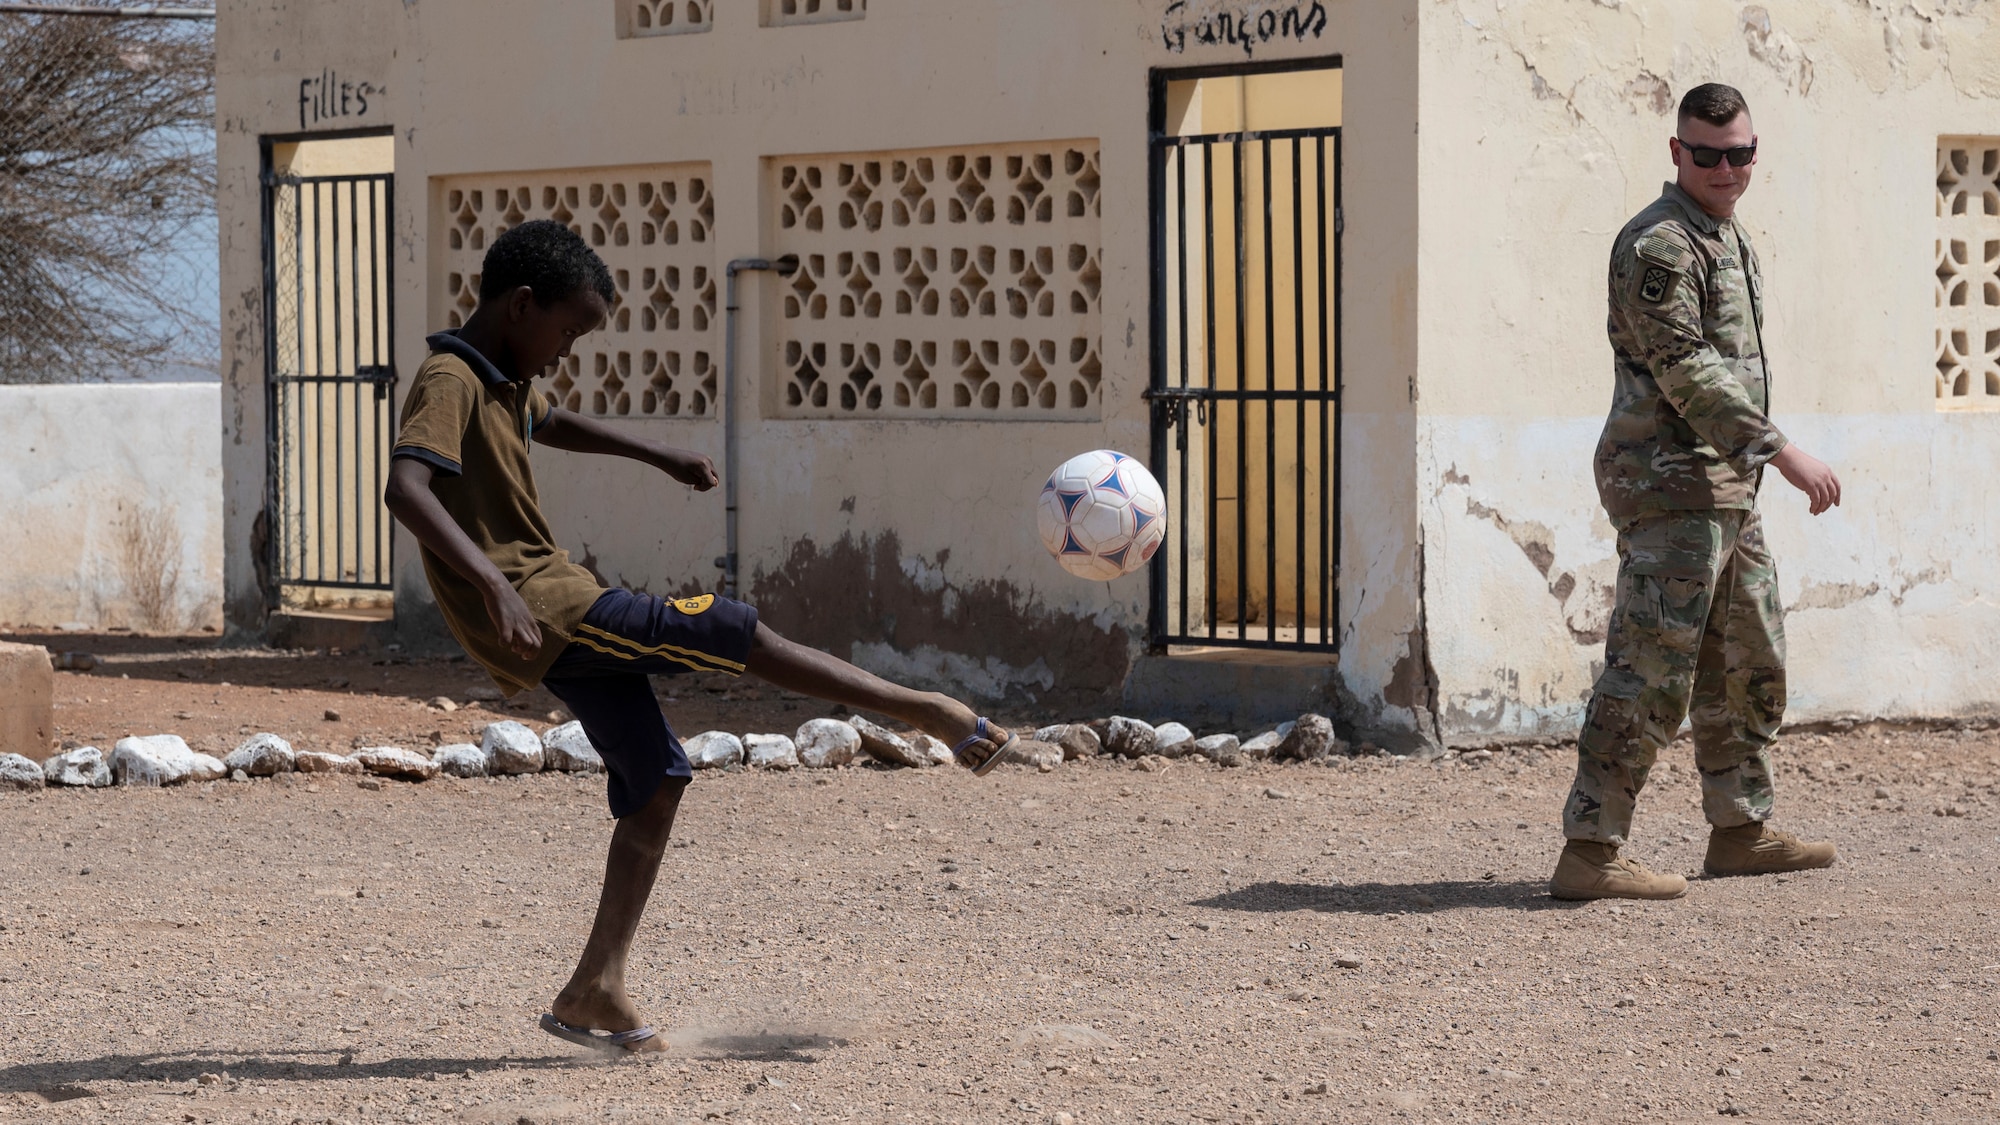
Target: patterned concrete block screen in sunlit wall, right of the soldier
x=1969, y=273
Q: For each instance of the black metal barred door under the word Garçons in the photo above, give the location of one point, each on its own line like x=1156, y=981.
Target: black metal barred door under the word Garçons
x=1247, y=387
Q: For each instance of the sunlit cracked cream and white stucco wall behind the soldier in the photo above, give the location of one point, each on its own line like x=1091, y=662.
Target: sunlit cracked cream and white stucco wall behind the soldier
x=1545, y=127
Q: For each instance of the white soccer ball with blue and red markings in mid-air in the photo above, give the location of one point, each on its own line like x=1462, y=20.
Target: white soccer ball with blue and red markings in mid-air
x=1101, y=515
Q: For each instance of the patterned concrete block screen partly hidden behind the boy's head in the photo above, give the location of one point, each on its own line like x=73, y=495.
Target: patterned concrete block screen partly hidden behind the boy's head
x=661, y=351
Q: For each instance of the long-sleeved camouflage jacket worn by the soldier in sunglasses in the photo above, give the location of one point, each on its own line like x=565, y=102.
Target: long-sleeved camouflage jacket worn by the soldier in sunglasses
x=1689, y=423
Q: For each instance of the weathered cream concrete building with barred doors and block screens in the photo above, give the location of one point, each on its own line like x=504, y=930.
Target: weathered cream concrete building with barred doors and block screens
x=1333, y=267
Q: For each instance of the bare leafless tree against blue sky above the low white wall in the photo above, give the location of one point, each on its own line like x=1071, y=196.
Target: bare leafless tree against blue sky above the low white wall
x=107, y=155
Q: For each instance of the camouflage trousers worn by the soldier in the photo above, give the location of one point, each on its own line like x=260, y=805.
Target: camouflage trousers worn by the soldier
x=1697, y=624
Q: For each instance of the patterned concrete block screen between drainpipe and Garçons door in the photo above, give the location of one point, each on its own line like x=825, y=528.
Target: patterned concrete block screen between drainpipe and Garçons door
x=939, y=283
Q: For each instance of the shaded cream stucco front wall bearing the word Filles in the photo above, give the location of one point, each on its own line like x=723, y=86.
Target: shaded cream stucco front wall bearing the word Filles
x=917, y=73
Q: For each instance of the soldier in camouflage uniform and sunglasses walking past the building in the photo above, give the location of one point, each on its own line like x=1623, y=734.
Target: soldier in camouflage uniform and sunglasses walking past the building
x=1679, y=467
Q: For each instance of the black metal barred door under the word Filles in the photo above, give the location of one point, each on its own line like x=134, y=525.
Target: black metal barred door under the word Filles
x=329, y=329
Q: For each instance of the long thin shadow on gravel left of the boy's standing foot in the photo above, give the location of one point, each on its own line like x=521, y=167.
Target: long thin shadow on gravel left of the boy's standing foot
x=67, y=1080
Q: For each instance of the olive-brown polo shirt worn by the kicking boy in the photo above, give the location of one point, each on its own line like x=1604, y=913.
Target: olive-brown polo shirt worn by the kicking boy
x=475, y=429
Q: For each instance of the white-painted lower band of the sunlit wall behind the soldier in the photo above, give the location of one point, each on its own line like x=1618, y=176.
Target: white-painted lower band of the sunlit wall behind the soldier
x=1891, y=600
